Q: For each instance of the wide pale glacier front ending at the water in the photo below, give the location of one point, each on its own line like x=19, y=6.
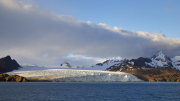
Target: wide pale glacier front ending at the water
x=73, y=75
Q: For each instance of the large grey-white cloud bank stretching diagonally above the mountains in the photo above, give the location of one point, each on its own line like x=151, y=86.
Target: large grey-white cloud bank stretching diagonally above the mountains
x=34, y=35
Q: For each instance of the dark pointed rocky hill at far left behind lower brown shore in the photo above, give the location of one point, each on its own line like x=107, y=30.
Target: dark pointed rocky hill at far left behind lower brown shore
x=7, y=64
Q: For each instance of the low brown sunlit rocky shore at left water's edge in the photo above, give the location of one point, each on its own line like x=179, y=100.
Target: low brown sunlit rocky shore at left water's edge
x=13, y=78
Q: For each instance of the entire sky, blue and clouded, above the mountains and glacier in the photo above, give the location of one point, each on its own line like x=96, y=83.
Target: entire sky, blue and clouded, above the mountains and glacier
x=85, y=32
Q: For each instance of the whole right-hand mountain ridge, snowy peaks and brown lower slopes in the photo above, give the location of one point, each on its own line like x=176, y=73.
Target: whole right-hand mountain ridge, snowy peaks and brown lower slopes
x=157, y=68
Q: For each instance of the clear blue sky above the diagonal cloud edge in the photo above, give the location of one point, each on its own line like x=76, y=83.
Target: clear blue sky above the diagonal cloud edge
x=155, y=16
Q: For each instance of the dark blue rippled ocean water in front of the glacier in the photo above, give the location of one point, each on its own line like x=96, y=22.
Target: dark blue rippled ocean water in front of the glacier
x=55, y=91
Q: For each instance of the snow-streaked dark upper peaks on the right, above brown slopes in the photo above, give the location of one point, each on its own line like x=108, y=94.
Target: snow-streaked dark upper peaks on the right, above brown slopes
x=158, y=60
